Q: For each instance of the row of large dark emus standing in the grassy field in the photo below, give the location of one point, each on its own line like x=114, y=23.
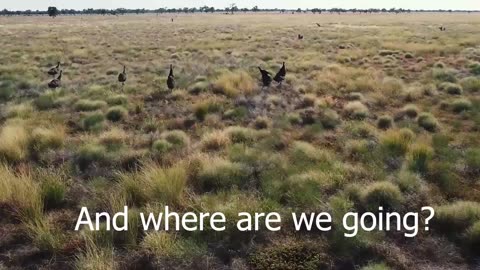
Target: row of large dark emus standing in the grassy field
x=122, y=77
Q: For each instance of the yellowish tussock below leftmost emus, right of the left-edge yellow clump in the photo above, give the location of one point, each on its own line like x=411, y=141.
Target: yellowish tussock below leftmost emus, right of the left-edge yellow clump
x=43, y=139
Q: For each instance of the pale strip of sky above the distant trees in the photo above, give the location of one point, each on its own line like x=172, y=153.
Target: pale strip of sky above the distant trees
x=287, y=4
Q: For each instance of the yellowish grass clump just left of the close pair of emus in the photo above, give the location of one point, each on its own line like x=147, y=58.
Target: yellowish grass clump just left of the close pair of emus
x=234, y=84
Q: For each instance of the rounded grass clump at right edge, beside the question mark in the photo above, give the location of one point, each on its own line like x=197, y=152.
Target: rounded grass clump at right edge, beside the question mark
x=457, y=216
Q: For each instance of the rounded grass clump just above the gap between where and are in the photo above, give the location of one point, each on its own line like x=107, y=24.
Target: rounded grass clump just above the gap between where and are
x=221, y=174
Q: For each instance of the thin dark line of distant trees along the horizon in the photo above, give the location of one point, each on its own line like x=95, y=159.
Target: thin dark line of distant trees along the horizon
x=53, y=11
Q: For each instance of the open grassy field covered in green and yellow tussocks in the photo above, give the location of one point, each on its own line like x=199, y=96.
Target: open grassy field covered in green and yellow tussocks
x=375, y=110
